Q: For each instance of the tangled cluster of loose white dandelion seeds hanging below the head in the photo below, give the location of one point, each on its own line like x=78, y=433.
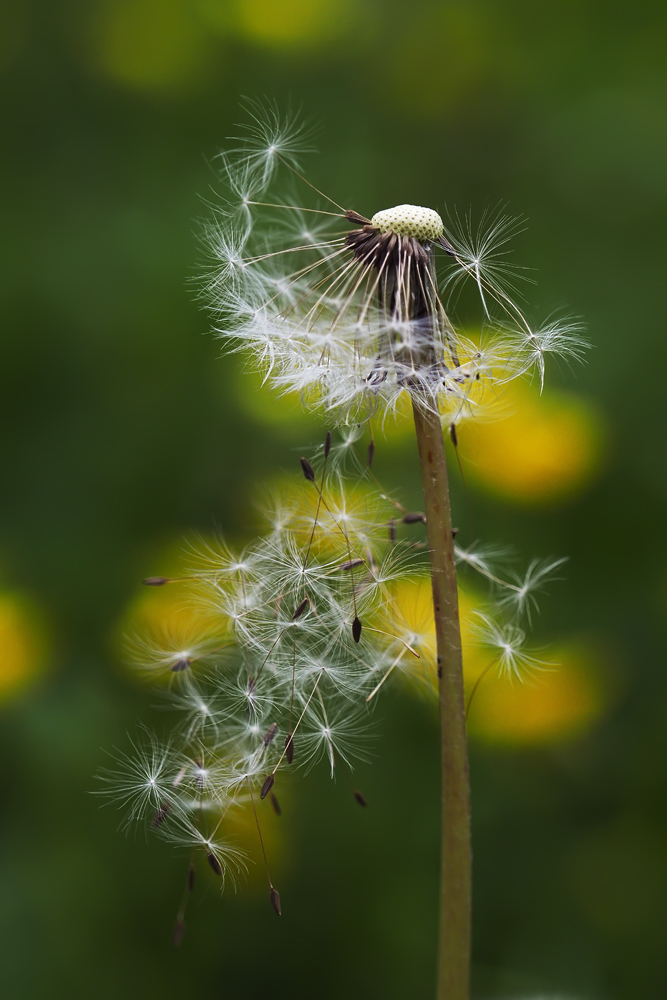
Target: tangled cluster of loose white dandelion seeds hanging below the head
x=298, y=635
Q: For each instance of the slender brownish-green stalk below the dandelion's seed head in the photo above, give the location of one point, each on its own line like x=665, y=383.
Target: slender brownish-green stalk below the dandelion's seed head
x=456, y=858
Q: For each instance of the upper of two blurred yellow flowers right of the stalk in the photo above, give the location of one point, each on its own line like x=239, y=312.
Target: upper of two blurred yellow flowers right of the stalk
x=547, y=447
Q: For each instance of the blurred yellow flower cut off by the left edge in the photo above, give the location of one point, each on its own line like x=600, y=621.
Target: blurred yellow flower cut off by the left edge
x=23, y=641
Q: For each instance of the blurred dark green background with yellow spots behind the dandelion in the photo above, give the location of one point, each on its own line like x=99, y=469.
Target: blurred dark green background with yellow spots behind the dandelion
x=124, y=430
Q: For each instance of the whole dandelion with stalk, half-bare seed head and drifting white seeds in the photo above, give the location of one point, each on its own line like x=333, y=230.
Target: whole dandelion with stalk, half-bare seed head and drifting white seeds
x=311, y=620
